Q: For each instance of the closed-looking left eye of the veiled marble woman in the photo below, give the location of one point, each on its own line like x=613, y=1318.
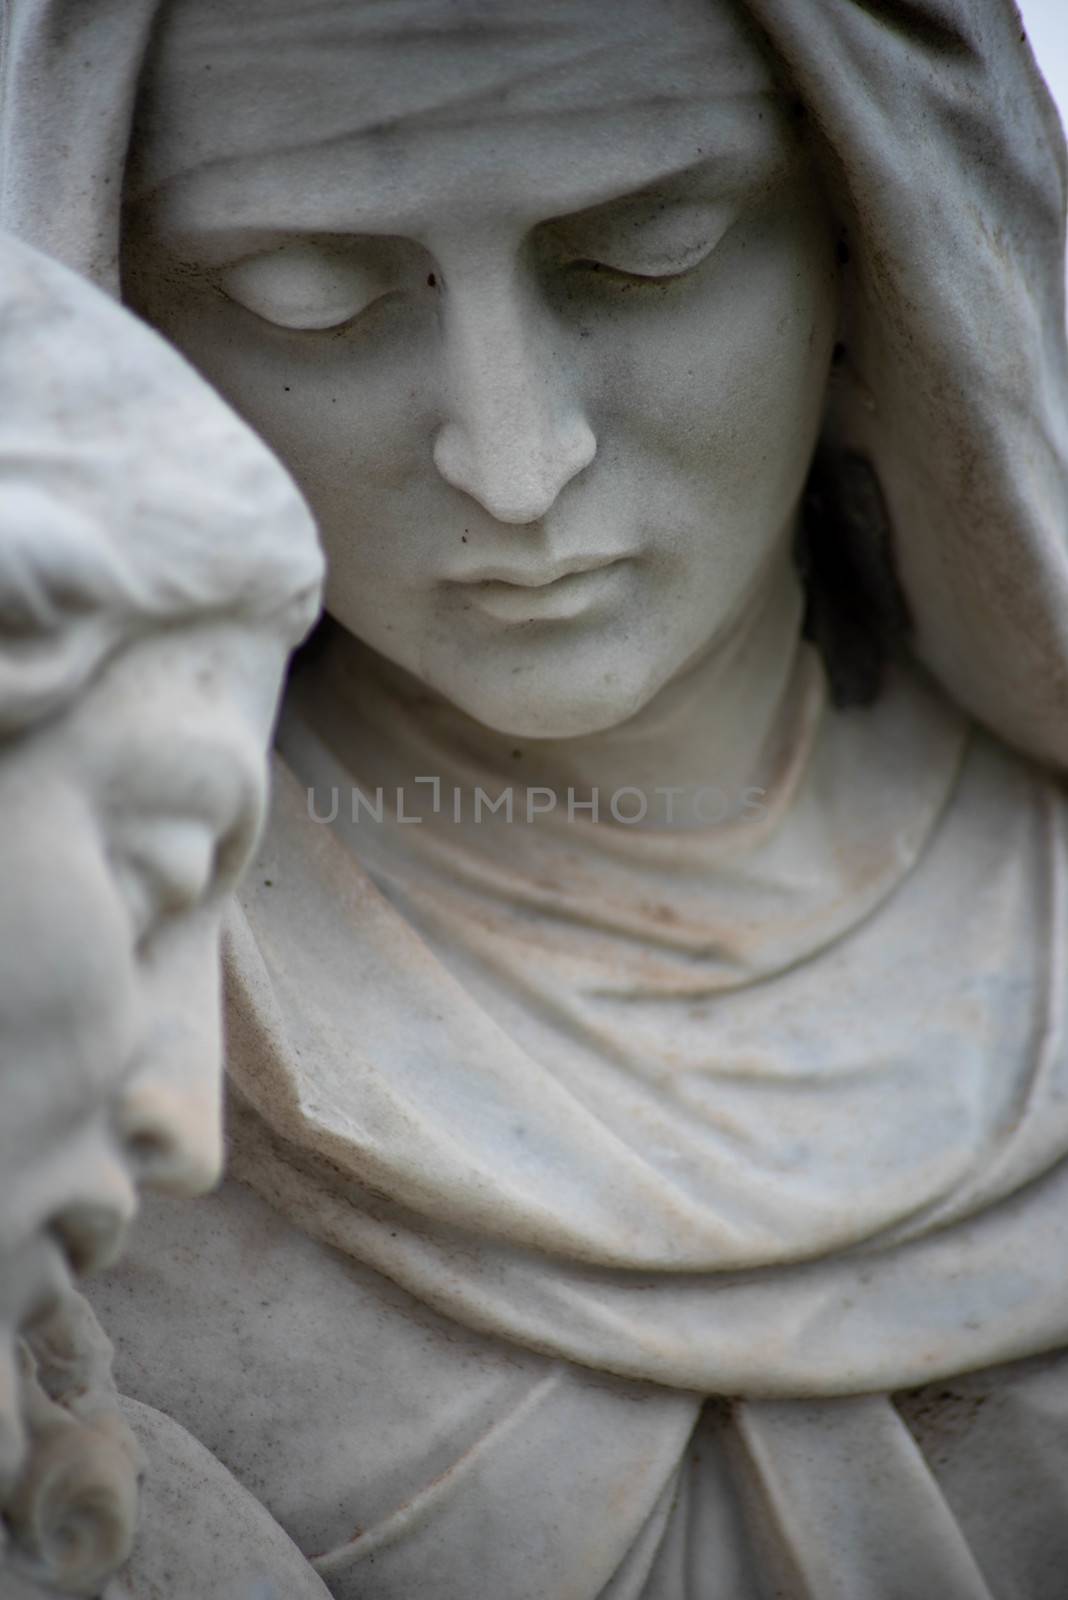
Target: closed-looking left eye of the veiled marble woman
x=305, y=287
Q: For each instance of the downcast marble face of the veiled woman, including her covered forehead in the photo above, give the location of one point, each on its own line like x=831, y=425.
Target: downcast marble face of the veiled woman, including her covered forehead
x=540, y=314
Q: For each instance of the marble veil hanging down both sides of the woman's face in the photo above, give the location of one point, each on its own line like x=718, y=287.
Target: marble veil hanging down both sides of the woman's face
x=946, y=161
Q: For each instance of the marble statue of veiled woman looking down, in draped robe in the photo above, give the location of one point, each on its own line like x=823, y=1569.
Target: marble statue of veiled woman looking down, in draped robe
x=648, y=1081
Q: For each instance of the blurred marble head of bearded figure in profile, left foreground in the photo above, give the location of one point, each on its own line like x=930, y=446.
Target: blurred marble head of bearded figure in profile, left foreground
x=156, y=569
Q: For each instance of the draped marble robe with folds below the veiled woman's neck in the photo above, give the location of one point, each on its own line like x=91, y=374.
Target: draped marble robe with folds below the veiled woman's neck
x=575, y=1252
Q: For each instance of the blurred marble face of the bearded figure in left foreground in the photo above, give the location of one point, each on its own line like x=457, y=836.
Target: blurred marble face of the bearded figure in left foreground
x=124, y=826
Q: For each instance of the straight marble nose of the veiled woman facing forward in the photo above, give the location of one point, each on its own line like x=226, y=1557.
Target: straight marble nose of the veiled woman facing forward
x=514, y=434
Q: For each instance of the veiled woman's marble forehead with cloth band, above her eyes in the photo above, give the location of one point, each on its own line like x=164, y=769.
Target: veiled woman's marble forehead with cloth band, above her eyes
x=377, y=114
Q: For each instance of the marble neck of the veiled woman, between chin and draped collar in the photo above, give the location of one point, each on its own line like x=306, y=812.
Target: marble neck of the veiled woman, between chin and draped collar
x=704, y=745
